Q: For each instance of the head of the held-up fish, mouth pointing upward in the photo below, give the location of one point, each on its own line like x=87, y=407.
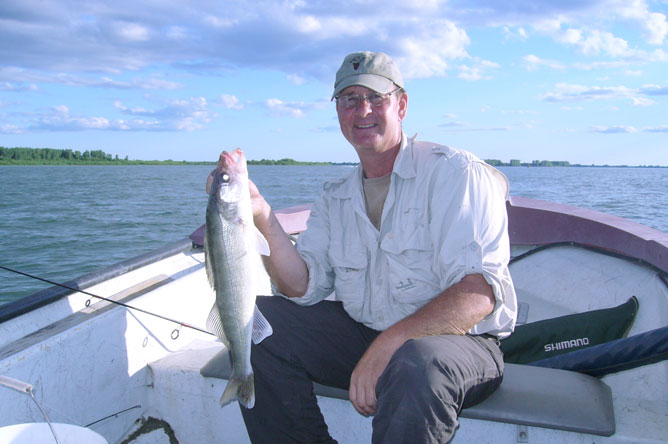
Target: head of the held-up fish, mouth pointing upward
x=230, y=181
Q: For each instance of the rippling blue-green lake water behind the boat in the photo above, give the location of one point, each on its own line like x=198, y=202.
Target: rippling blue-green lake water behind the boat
x=59, y=222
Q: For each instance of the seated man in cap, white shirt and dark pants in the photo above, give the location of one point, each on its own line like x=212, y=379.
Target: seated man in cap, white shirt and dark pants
x=414, y=244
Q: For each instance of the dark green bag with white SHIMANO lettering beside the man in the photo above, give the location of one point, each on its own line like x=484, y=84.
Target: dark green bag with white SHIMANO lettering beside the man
x=552, y=337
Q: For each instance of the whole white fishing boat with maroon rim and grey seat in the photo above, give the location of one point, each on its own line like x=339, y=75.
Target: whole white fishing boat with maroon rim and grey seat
x=129, y=367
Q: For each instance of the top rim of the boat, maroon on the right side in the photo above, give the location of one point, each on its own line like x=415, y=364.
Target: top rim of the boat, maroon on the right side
x=530, y=222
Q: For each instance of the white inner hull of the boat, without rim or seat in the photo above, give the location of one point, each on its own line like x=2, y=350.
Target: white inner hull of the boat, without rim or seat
x=107, y=361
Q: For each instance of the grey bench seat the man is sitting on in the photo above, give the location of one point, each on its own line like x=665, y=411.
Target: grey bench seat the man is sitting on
x=532, y=396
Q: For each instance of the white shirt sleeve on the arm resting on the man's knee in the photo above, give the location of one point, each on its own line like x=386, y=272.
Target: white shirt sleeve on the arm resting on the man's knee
x=472, y=238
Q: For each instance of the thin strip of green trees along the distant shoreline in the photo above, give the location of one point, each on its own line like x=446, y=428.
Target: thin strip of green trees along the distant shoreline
x=51, y=156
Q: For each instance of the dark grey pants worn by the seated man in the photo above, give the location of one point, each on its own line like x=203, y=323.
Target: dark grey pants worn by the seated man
x=419, y=395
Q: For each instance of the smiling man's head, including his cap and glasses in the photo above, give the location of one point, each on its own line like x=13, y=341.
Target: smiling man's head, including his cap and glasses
x=370, y=102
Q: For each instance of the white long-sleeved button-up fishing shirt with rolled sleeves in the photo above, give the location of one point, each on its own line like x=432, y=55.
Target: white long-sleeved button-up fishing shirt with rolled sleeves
x=444, y=217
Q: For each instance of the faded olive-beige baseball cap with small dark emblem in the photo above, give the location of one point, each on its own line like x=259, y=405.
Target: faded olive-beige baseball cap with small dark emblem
x=374, y=70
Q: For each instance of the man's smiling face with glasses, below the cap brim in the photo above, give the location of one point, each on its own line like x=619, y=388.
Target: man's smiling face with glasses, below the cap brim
x=372, y=128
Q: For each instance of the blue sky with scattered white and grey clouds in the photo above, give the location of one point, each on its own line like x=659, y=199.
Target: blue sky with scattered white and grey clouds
x=578, y=81
